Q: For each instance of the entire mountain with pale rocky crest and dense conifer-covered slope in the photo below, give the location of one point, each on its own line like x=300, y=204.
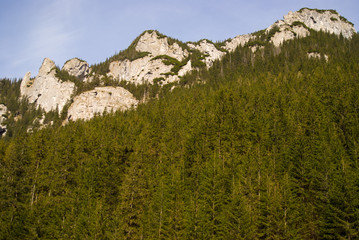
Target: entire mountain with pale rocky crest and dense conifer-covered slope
x=258, y=140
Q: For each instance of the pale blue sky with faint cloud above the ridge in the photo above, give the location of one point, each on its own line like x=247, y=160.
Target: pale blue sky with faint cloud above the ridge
x=94, y=30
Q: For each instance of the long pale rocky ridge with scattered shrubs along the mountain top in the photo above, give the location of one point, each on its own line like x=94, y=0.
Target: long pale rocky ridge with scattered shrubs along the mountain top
x=157, y=59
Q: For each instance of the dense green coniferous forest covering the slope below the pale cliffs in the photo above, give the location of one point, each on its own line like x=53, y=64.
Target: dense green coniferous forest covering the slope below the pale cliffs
x=262, y=145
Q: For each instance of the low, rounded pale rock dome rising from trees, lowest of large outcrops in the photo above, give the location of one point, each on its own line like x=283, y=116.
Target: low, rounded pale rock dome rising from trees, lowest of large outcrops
x=102, y=99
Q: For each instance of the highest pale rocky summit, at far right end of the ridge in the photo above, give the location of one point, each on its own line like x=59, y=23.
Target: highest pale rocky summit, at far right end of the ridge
x=296, y=24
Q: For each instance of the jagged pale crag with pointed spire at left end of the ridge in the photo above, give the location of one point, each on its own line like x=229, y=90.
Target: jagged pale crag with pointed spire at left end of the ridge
x=46, y=90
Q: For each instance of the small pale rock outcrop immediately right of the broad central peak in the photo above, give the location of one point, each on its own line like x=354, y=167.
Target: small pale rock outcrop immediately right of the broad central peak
x=211, y=52
